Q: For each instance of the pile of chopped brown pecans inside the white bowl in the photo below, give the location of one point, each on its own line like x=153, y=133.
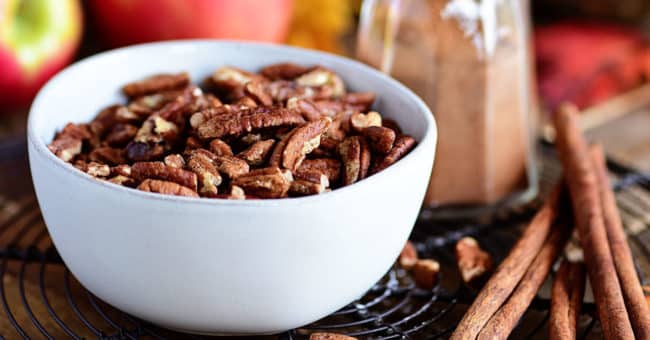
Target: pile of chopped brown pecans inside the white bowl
x=288, y=131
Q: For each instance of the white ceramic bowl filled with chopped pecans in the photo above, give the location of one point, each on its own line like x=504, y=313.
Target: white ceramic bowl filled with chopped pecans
x=219, y=266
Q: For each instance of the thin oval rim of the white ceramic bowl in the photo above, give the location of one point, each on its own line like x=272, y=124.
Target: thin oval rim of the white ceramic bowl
x=429, y=137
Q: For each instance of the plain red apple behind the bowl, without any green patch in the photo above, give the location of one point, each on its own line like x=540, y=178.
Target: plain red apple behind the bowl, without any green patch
x=124, y=22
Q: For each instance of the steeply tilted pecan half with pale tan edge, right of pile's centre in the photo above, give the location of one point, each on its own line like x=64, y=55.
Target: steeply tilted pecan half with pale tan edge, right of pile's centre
x=302, y=141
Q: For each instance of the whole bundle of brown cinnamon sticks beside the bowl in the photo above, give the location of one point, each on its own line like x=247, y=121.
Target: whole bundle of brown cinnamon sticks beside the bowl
x=583, y=198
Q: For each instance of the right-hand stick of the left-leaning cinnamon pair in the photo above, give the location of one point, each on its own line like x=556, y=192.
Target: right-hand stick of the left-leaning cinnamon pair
x=505, y=319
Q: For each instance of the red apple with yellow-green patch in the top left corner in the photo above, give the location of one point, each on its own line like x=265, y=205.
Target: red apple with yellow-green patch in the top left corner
x=37, y=39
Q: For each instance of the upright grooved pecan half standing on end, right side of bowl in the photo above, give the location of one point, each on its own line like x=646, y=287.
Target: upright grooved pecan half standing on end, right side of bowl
x=356, y=159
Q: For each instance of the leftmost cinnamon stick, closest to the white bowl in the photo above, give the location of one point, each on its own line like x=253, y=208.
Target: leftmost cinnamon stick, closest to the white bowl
x=510, y=271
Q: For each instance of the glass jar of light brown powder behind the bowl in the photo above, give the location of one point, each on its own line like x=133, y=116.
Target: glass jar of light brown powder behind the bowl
x=470, y=61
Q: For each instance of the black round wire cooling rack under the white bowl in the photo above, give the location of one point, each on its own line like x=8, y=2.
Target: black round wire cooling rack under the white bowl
x=40, y=298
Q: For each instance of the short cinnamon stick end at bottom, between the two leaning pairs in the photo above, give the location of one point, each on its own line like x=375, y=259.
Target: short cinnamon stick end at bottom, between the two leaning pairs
x=566, y=300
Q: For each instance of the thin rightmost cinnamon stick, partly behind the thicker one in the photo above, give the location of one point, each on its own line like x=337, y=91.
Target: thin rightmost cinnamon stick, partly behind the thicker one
x=635, y=301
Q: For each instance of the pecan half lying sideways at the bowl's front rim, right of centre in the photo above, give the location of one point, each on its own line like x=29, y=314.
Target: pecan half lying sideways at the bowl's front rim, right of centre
x=265, y=183
